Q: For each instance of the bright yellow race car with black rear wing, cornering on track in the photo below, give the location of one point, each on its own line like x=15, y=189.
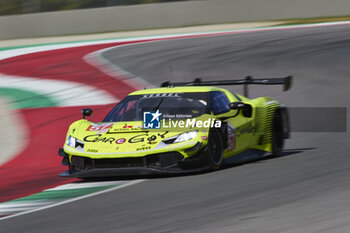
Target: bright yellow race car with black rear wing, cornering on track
x=178, y=128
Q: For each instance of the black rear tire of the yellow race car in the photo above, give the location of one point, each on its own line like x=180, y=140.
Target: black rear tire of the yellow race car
x=277, y=139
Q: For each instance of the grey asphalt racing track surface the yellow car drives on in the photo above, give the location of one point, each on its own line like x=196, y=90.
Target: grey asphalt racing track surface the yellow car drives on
x=306, y=190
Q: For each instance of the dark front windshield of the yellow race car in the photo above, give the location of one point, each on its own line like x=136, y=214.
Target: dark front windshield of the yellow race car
x=171, y=105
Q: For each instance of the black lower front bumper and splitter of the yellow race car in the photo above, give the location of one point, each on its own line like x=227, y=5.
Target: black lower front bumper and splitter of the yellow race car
x=154, y=164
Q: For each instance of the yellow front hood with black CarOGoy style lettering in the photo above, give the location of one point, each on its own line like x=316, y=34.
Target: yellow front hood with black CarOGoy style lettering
x=128, y=137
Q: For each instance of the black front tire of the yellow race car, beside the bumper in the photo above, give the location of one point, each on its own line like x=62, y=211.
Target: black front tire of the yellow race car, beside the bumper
x=214, y=154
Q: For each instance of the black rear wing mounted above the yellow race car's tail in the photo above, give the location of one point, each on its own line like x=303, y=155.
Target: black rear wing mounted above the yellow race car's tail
x=285, y=81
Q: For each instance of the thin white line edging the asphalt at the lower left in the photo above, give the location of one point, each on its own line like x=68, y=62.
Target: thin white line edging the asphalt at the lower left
x=73, y=199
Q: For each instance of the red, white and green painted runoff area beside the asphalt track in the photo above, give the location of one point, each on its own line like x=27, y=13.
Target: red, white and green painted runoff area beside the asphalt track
x=59, y=79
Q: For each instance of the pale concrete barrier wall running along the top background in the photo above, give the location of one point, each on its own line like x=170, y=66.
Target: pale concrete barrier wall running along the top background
x=163, y=15
